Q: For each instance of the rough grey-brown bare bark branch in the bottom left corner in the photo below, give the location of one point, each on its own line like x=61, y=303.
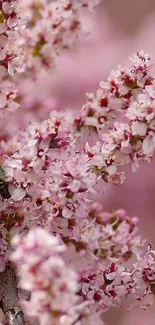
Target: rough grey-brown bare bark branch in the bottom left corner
x=9, y=297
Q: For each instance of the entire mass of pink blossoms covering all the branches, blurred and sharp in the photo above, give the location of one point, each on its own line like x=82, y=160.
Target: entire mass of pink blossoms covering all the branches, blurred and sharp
x=48, y=176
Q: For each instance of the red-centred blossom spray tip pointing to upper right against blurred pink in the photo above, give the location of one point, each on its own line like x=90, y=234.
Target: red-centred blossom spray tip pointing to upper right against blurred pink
x=117, y=94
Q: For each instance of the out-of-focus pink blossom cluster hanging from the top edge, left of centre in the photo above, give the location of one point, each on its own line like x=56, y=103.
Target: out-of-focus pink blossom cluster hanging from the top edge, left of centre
x=53, y=26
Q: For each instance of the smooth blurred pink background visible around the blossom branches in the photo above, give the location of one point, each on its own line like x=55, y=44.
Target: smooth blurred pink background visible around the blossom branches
x=118, y=28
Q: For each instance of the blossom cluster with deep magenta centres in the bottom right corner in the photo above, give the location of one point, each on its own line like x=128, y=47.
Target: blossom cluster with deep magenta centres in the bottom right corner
x=107, y=285
